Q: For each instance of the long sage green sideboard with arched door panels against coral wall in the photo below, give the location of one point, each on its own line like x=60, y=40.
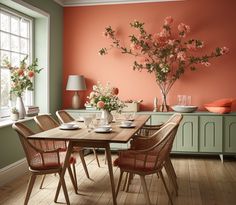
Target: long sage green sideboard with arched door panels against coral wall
x=198, y=133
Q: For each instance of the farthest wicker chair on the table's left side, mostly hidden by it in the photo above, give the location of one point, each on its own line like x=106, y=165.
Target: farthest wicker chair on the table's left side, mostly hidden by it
x=65, y=117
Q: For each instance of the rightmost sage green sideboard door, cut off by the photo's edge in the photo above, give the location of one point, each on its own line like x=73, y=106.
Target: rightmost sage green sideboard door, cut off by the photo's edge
x=230, y=134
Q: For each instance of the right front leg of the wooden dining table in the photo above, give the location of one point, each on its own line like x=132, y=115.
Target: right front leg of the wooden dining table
x=109, y=164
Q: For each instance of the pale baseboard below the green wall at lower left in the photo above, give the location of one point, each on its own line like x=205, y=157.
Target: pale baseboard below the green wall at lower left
x=12, y=171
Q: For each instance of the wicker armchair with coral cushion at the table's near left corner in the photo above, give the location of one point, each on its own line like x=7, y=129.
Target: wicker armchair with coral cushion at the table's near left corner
x=42, y=161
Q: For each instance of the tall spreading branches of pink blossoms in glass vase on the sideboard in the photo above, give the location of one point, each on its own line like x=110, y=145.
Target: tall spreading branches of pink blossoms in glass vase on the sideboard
x=165, y=53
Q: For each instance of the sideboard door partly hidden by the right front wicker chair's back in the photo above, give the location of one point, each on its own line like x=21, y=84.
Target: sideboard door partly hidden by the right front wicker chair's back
x=187, y=135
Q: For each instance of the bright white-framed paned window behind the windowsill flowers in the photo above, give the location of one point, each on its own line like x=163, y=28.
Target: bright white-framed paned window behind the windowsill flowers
x=15, y=44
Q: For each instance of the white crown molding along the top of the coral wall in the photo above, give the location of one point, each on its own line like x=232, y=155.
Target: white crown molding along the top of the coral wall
x=69, y=3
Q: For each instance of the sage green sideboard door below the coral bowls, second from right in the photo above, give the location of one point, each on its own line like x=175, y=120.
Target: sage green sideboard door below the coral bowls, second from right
x=211, y=132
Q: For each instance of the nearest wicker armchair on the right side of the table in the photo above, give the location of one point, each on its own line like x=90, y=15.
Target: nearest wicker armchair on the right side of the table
x=150, y=160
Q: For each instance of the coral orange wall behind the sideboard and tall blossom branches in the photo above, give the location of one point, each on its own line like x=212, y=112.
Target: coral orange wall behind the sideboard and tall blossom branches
x=210, y=20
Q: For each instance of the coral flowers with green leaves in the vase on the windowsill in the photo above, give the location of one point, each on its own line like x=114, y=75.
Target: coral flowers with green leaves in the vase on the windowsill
x=22, y=76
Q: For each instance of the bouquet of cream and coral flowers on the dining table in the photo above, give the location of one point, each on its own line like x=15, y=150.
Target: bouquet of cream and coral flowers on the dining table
x=105, y=98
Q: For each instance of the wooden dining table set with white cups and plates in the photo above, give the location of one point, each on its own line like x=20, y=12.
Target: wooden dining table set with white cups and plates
x=83, y=137
